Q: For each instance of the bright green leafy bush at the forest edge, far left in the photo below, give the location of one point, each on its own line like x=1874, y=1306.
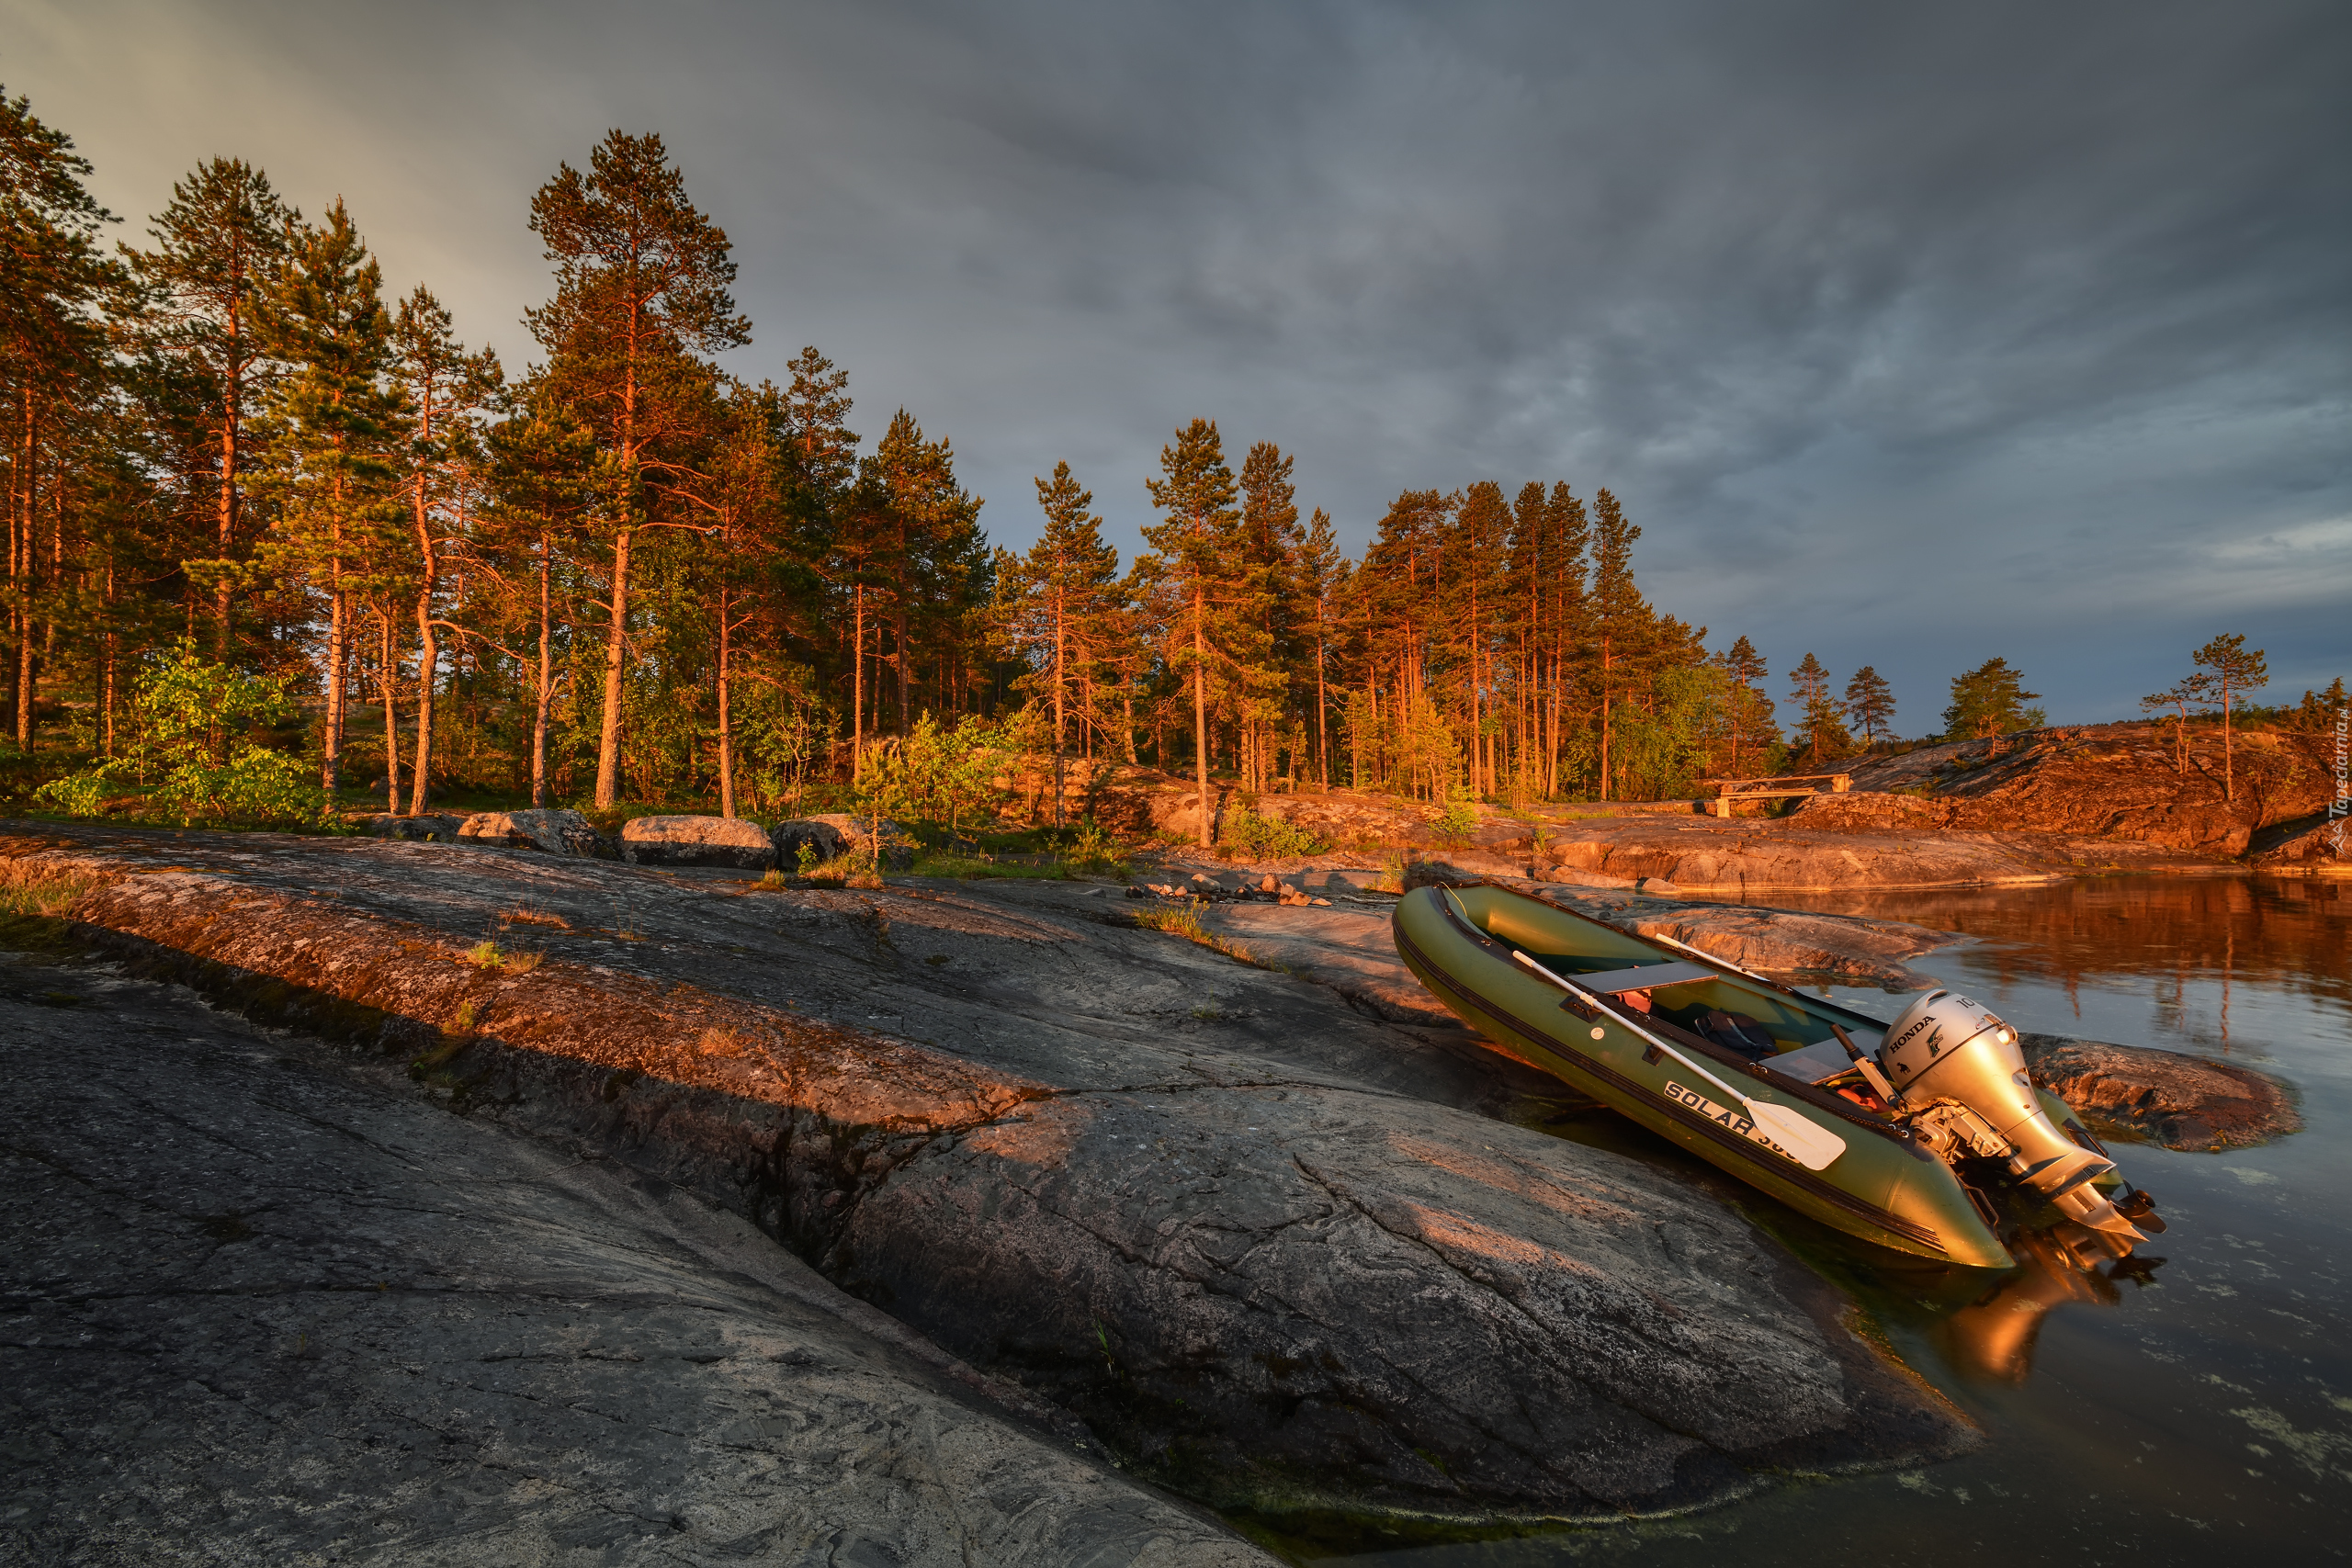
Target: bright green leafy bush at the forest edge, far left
x=194, y=751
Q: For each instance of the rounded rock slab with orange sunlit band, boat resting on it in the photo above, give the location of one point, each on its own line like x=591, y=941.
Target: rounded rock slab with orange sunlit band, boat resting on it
x=1274, y=1247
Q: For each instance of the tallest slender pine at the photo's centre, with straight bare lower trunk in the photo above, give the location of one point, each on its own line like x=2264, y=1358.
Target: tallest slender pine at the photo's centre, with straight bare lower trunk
x=1196, y=547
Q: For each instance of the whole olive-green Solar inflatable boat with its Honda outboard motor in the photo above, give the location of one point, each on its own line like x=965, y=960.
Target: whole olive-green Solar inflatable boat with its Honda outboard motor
x=1887, y=1132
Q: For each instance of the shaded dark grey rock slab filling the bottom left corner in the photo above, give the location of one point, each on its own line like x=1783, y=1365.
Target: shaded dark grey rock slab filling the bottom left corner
x=260, y=1308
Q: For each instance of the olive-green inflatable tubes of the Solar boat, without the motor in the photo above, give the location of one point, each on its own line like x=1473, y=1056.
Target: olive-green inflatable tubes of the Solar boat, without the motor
x=1885, y=1188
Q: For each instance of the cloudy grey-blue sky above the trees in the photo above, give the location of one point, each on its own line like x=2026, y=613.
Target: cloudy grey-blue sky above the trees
x=1909, y=335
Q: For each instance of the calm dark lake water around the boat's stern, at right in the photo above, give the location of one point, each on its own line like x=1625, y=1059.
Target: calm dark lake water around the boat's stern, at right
x=2189, y=1407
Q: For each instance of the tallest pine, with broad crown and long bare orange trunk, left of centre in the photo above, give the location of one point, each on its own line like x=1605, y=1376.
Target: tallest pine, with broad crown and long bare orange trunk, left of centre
x=641, y=290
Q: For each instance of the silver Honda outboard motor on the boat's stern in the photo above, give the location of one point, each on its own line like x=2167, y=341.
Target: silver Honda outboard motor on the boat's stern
x=1963, y=1083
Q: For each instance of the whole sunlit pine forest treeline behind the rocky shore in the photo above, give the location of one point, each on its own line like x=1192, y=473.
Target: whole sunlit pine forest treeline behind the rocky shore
x=622, y=572
